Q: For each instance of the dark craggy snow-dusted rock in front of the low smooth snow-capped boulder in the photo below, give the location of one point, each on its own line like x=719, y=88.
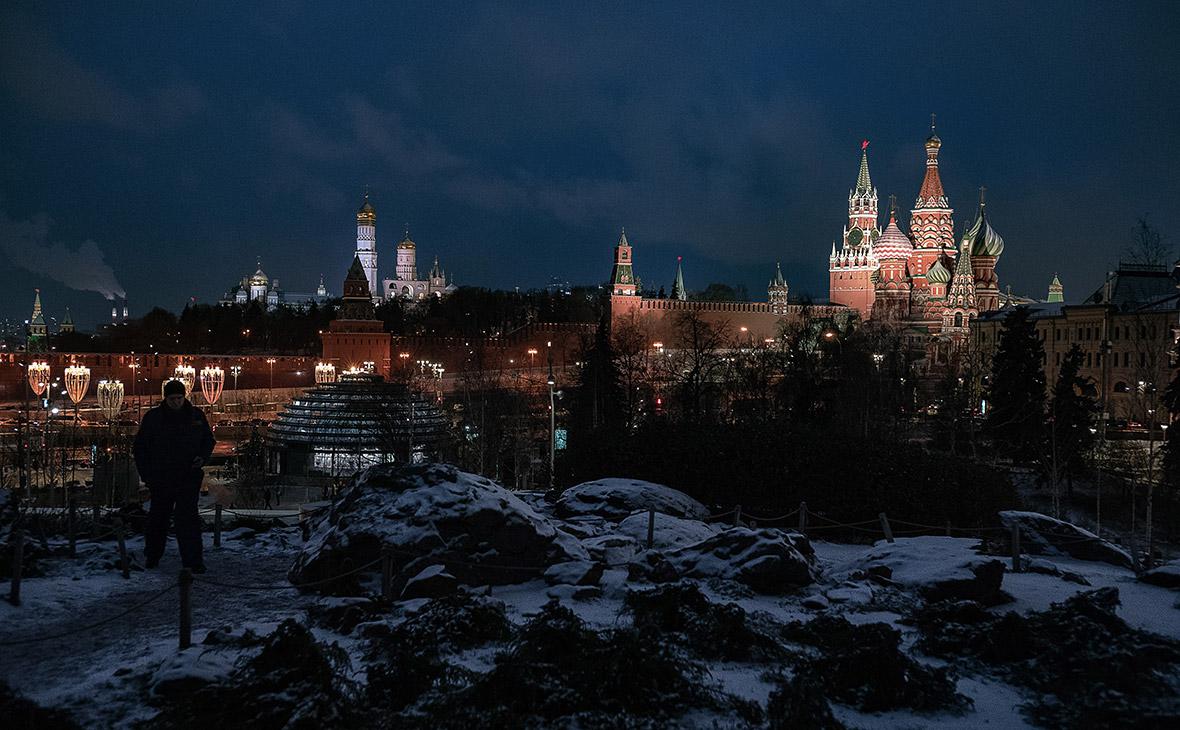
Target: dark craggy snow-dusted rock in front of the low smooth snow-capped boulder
x=770, y=562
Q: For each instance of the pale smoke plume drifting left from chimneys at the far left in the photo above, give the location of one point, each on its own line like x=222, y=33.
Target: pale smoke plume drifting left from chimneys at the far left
x=28, y=245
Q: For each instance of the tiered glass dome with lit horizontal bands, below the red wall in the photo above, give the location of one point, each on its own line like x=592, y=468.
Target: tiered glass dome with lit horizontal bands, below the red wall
x=358, y=413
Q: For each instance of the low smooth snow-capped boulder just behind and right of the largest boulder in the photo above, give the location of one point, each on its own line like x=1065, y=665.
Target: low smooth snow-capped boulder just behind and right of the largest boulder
x=619, y=498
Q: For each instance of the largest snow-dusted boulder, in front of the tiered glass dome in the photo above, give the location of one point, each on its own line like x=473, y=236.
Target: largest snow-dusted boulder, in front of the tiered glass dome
x=434, y=515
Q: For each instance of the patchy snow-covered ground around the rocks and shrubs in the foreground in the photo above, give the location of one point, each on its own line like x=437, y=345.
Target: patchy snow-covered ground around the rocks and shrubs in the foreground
x=106, y=676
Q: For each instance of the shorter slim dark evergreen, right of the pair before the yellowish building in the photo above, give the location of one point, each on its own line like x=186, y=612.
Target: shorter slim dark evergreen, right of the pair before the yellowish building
x=1072, y=413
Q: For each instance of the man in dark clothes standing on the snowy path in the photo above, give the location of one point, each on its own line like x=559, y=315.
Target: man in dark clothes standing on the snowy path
x=173, y=444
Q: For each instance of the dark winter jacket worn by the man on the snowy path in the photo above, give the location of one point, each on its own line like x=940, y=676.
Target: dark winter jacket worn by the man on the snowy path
x=169, y=440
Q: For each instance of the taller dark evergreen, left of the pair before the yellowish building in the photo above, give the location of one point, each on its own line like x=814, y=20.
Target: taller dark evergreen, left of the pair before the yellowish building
x=1017, y=423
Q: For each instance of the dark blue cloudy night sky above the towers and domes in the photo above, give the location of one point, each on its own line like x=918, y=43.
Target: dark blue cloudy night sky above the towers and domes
x=179, y=146
